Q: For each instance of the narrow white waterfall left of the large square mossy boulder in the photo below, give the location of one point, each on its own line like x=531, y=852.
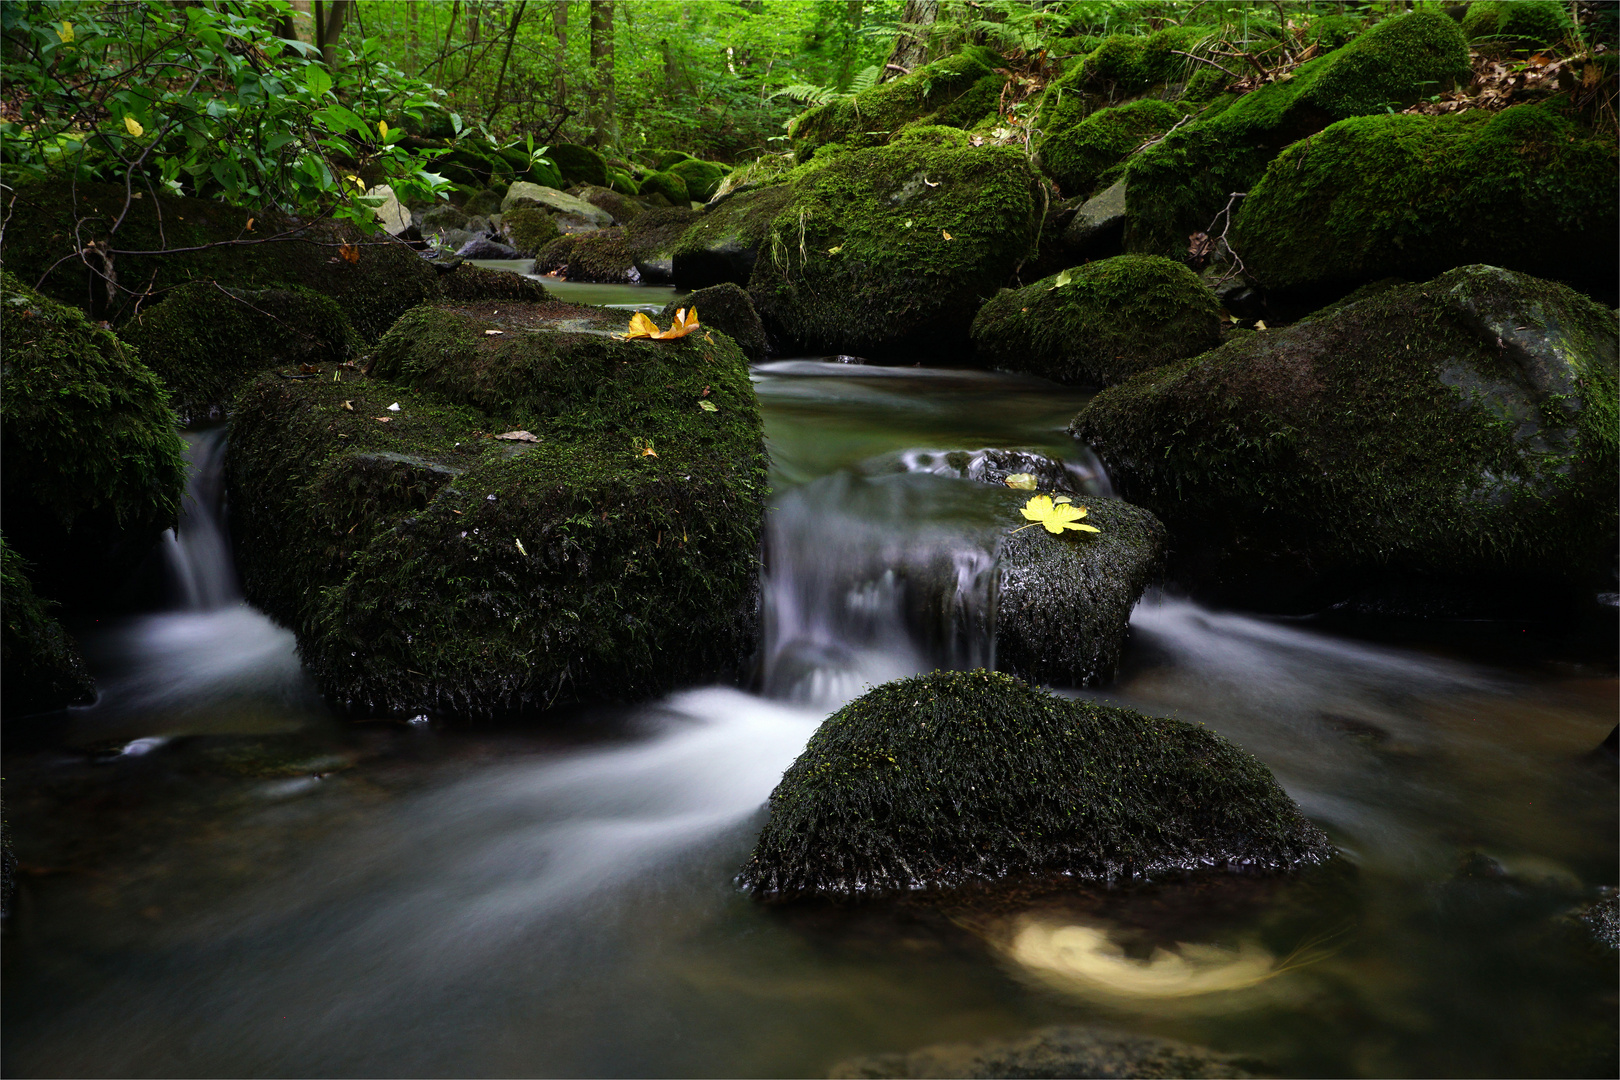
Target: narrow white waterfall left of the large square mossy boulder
x=198, y=551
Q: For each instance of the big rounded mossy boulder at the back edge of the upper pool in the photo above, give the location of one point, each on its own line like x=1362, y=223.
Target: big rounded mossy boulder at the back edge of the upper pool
x=895, y=249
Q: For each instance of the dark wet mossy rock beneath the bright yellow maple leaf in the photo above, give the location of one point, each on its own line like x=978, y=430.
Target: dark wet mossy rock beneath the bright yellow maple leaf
x=1065, y=602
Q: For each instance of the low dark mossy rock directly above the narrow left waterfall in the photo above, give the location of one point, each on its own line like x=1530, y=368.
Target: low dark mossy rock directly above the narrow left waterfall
x=203, y=339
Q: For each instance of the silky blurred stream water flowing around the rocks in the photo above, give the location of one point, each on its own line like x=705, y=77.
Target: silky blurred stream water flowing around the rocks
x=221, y=878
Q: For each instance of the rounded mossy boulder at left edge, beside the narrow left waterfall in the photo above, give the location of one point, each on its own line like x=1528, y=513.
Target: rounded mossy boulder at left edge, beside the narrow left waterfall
x=92, y=469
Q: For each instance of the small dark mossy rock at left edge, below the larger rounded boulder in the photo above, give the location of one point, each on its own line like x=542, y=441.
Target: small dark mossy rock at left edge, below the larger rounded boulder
x=43, y=665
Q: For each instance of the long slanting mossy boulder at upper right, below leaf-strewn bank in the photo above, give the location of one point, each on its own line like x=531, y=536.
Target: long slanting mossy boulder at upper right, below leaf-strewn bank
x=1180, y=185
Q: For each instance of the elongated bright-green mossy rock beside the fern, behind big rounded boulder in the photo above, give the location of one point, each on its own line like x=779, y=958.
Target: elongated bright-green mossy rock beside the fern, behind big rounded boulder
x=957, y=93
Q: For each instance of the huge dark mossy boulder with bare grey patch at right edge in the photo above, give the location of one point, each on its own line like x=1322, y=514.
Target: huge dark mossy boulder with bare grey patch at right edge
x=1449, y=444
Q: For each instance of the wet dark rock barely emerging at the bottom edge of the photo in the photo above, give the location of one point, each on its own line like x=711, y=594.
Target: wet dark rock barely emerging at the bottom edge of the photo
x=1060, y=1052
